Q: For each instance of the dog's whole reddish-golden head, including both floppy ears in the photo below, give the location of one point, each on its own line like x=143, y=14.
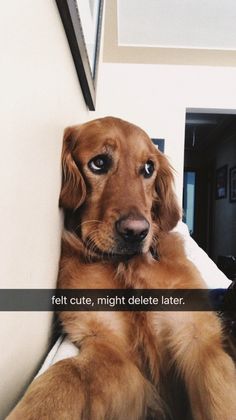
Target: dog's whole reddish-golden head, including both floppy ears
x=119, y=185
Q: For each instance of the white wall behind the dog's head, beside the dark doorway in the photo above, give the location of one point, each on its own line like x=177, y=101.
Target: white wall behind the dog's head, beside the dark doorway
x=156, y=97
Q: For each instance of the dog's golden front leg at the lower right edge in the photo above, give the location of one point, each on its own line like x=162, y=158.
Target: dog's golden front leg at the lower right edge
x=195, y=342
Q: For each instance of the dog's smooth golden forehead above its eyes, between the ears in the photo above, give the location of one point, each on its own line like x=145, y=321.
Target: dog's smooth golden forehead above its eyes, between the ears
x=114, y=134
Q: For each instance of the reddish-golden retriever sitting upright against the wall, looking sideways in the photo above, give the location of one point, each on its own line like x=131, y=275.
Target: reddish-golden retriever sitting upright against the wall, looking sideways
x=120, y=209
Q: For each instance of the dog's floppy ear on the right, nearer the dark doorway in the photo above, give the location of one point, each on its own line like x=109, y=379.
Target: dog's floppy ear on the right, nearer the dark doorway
x=166, y=211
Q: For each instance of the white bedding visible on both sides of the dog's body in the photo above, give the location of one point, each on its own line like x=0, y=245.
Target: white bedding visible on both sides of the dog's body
x=213, y=277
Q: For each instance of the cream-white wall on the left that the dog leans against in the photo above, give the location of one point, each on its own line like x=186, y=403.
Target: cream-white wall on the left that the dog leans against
x=40, y=95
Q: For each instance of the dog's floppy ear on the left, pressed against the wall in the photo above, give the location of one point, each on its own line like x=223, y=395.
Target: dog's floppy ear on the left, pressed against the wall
x=73, y=190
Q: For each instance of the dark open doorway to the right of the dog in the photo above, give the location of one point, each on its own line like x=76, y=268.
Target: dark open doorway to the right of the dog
x=210, y=155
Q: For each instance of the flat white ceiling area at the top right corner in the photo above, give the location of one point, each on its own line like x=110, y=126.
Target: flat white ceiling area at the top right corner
x=204, y=24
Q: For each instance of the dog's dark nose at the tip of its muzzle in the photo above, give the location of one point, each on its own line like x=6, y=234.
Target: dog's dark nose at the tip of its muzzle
x=132, y=229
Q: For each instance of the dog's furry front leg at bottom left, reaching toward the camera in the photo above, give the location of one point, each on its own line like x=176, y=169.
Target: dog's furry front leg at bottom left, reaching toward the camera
x=100, y=383
